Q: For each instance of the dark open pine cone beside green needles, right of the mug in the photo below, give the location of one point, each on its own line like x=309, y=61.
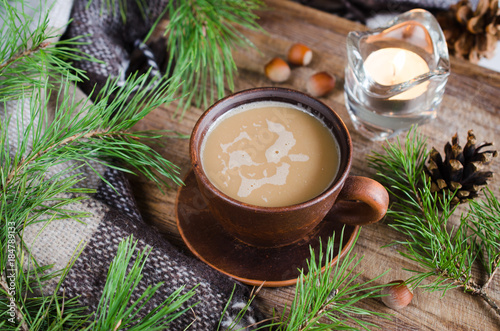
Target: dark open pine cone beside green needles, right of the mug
x=460, y=171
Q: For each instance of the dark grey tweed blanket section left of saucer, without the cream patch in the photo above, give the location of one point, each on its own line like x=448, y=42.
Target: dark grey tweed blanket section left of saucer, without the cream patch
x=166, y=264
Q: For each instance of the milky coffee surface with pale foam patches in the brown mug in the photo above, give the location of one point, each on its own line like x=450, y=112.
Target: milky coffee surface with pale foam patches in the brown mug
x=270, y=154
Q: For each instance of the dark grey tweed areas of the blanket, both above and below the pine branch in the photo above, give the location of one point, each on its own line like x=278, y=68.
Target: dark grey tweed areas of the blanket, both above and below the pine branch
x=112, y=41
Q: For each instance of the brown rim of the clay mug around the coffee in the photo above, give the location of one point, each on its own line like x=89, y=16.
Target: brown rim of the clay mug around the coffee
x=336, y=185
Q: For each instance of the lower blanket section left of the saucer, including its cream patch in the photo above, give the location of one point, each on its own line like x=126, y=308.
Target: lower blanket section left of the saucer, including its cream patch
x=113, y=217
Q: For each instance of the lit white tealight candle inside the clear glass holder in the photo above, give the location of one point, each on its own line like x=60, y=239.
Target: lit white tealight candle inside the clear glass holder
x=390, y=66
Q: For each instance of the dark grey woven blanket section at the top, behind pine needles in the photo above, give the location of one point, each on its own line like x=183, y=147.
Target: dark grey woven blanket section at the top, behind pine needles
x=109, y=38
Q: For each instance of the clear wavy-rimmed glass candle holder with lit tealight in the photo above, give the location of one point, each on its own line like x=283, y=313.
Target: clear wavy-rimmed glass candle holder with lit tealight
x=396, y=75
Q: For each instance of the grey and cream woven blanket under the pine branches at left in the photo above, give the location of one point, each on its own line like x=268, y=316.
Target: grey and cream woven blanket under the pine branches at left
x=113, y=213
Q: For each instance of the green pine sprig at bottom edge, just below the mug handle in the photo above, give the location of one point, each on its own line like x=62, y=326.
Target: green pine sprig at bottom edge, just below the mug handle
x=326, y=300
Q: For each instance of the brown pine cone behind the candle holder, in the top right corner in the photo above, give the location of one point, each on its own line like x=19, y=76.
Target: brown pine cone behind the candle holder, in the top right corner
x=471, y=34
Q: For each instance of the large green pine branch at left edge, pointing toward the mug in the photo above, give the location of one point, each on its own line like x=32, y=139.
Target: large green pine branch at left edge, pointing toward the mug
x=82, y=133
